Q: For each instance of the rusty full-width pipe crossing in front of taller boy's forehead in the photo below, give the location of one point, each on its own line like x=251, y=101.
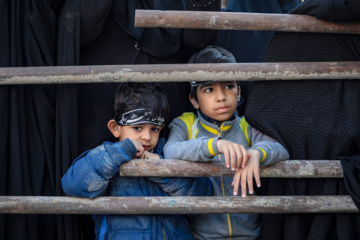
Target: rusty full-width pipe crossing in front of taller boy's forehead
x=181, y=72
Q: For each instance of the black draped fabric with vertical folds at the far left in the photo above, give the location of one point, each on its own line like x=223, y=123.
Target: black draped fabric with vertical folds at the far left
x=37, y=140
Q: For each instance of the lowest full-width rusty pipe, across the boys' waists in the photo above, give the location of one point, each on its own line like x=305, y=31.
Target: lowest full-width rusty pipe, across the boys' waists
x=176, y=205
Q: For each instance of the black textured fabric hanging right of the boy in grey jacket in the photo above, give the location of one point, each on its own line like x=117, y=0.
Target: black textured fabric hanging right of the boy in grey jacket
x=314, y=120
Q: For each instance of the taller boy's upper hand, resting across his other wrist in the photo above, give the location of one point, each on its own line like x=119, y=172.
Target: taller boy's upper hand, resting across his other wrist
x=235, y=154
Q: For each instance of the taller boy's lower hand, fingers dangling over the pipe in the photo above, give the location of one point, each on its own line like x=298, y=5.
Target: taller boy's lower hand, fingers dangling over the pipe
x=246, y=175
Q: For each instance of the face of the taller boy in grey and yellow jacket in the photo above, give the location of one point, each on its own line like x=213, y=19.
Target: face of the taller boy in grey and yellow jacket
x=217, y=100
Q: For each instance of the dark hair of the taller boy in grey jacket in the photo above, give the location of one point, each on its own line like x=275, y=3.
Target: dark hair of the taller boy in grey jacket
x=210, y=54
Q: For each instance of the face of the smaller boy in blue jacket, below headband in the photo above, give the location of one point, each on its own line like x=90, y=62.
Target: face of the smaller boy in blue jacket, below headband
x=147, y=134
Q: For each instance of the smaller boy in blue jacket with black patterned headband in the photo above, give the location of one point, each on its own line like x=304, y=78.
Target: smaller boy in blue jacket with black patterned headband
x=140, y=110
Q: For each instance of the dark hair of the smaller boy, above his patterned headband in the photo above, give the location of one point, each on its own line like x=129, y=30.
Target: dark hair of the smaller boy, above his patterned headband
x=151, y=96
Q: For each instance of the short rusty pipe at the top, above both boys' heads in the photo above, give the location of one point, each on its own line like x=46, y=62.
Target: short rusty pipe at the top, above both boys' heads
x=241, y=21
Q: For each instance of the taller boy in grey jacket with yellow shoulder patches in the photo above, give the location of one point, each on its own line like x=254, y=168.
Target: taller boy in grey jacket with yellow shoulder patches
x=216, y=133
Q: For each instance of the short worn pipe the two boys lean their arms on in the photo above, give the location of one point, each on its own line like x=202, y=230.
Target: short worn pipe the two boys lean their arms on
x=181, y=168
